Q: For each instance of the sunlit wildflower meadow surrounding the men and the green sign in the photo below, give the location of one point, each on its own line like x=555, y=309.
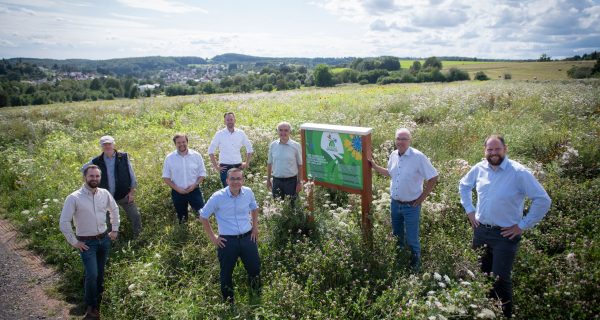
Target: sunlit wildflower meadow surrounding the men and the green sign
x=171, y=272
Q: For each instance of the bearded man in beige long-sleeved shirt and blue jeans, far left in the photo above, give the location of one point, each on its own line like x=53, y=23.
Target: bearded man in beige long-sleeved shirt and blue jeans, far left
x=87, y=208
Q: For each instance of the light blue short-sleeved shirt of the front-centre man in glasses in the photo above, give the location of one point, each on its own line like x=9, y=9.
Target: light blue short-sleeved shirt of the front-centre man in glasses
x=233, y=213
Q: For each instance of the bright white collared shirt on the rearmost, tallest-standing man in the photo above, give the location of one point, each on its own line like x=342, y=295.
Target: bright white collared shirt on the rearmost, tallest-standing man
x=229, y=145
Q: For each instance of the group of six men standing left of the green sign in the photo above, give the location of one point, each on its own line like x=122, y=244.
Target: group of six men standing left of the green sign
x=110, y=182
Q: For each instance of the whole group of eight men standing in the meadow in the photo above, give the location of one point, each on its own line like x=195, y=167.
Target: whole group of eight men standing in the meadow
x=497, y=218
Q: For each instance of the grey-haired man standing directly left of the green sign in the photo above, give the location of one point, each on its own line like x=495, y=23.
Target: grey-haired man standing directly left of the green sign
x=284, y=164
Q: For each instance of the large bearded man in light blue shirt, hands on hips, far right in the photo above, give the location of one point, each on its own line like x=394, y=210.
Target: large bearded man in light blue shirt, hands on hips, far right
x=497, y=220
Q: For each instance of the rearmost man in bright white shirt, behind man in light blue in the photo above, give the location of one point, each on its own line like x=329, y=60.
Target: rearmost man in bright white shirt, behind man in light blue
x=229, y=141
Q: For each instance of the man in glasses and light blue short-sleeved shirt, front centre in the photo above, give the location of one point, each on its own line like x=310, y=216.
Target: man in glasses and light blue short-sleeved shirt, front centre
x=236, y=212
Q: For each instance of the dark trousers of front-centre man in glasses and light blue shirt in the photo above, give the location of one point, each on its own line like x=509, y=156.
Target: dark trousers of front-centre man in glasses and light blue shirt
x=246, y=249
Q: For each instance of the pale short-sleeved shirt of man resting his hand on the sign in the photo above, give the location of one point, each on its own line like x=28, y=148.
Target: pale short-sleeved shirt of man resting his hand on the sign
x=407, y=174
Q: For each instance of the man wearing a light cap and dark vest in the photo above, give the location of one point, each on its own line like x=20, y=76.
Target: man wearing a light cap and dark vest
x=118, y=178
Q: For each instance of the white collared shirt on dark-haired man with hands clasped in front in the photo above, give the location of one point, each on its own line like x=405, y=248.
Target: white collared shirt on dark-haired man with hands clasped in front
x=184, y=170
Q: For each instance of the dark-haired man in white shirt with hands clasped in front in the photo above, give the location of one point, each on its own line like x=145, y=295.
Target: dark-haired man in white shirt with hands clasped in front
x=184, y=171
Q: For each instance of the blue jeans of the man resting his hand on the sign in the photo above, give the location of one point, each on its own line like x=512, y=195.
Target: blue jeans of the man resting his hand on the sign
x=405, y=227
